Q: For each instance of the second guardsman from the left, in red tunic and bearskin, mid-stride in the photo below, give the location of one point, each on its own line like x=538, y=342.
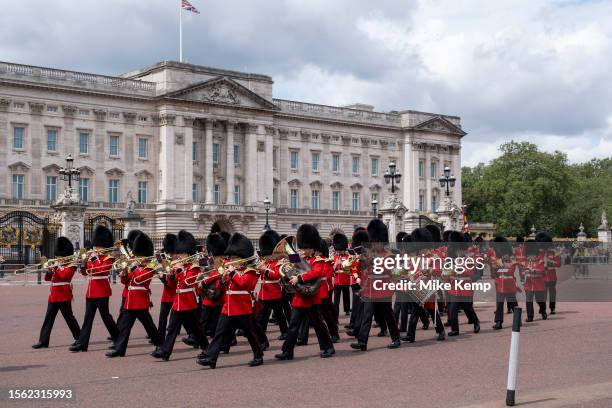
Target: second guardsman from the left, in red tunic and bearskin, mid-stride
x=97, y=270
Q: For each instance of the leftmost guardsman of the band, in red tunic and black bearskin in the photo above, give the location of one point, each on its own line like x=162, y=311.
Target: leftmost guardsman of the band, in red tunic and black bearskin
x=60, y=297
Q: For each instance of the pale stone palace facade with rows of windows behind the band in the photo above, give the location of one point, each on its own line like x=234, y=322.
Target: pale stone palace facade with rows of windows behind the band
x=189, y=146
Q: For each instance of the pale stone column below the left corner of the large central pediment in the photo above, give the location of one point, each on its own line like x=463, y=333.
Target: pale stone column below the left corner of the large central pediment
x=167, y=161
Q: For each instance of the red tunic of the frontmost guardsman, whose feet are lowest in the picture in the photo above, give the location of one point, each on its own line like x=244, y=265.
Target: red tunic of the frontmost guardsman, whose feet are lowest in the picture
x=238, y=296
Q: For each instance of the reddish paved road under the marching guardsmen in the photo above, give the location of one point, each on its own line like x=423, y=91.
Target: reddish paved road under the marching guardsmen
x=564, y=361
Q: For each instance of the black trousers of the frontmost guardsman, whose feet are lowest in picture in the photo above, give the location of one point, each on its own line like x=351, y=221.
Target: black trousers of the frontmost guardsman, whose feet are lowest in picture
x=225, y=330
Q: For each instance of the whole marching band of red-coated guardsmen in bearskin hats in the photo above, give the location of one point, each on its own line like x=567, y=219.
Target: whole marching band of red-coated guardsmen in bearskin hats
x=227, y=288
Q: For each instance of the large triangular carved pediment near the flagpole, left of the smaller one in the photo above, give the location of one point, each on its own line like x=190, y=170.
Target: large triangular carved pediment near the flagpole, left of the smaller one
x=224, y=91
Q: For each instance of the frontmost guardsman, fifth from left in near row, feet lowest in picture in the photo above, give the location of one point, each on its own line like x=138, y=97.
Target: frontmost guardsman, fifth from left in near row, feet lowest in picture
x=238, y=280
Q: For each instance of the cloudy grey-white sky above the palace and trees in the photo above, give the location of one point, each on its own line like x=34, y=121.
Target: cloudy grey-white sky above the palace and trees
x=521, y=69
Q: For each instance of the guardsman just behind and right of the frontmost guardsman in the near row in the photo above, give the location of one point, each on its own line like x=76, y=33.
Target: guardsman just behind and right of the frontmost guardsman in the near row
x=270, y=292
